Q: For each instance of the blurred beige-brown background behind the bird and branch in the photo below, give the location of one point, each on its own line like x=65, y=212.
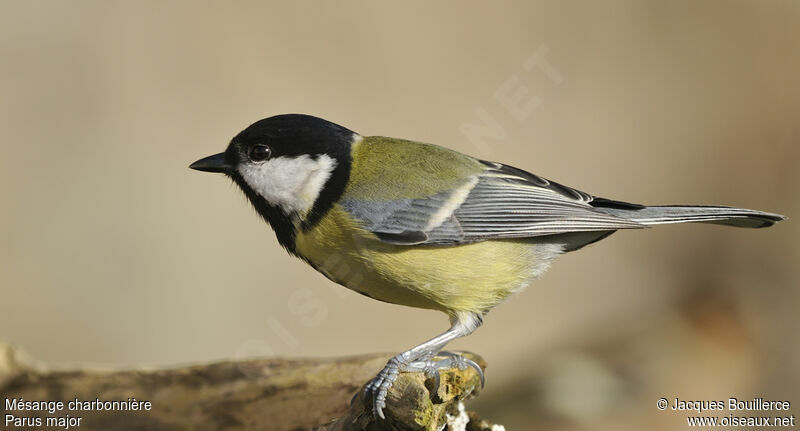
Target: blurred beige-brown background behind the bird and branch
x=113, y=252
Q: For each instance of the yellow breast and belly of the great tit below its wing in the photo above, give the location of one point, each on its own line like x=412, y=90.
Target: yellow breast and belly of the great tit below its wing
x=471, y=277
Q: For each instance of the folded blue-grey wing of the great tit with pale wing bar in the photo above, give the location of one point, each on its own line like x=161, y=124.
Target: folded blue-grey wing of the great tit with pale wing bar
x=500, y=202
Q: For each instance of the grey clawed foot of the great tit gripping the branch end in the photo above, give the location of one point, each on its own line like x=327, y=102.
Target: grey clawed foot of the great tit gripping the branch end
x=379, y=386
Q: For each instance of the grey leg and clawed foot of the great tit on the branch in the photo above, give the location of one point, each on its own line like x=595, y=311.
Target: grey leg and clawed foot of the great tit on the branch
x=419, y=359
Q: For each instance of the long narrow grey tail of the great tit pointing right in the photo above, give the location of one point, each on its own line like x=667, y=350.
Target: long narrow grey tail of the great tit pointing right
x=663, y=214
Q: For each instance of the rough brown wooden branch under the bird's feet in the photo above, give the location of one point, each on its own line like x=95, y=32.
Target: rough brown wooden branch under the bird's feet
x=263, y=394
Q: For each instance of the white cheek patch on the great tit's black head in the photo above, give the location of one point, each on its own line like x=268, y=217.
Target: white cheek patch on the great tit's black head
x=290, y=183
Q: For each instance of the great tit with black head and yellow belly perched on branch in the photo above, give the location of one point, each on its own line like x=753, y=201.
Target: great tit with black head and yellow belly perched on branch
x=421, y=225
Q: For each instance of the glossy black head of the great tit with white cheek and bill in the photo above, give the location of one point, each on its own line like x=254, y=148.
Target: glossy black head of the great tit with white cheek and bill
x=292, y=167
